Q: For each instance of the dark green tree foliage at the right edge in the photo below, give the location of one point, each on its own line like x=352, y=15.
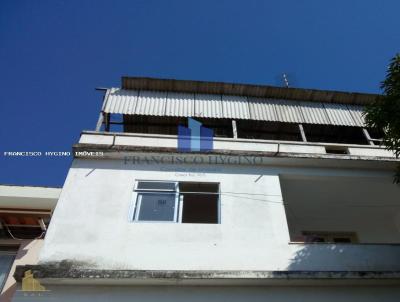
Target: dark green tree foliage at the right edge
x=384, y=113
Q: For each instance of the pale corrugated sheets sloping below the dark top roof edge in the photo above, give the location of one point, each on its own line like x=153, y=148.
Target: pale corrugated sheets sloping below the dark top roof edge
x=162, y=103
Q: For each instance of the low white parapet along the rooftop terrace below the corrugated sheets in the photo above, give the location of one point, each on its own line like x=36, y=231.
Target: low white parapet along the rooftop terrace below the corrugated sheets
x=151, y=142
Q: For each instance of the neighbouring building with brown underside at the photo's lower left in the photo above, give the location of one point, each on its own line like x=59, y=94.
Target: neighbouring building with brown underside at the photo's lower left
x=25, y=214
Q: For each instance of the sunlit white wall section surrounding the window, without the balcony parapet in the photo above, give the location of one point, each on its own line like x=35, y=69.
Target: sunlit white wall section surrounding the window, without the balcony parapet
x=93, y=213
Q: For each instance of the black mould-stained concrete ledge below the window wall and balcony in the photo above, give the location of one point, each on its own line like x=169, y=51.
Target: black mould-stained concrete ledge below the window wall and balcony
x=60, y=274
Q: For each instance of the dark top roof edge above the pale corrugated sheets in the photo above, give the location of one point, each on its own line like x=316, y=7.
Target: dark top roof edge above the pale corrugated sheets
x=251, y=90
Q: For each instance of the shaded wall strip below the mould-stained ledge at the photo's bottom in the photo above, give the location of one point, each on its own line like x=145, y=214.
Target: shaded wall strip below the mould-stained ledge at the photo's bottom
x=211, y=294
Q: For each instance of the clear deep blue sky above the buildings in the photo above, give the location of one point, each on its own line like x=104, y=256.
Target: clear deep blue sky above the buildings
x=54, y=53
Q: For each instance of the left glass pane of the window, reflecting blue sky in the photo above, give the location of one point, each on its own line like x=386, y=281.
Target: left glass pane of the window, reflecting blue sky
x=156, y=207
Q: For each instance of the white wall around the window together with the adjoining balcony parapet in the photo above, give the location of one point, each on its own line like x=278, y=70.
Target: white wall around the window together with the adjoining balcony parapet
x=91, y=223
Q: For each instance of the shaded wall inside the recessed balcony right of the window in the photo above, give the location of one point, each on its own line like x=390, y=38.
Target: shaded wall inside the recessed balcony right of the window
x=370, y=207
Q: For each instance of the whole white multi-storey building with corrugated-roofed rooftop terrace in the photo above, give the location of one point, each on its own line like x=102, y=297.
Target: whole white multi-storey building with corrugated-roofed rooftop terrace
x=294, y=201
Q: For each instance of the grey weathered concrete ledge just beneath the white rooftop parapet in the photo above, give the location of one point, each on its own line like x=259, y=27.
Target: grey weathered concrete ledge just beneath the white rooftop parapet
x=125, y=152
